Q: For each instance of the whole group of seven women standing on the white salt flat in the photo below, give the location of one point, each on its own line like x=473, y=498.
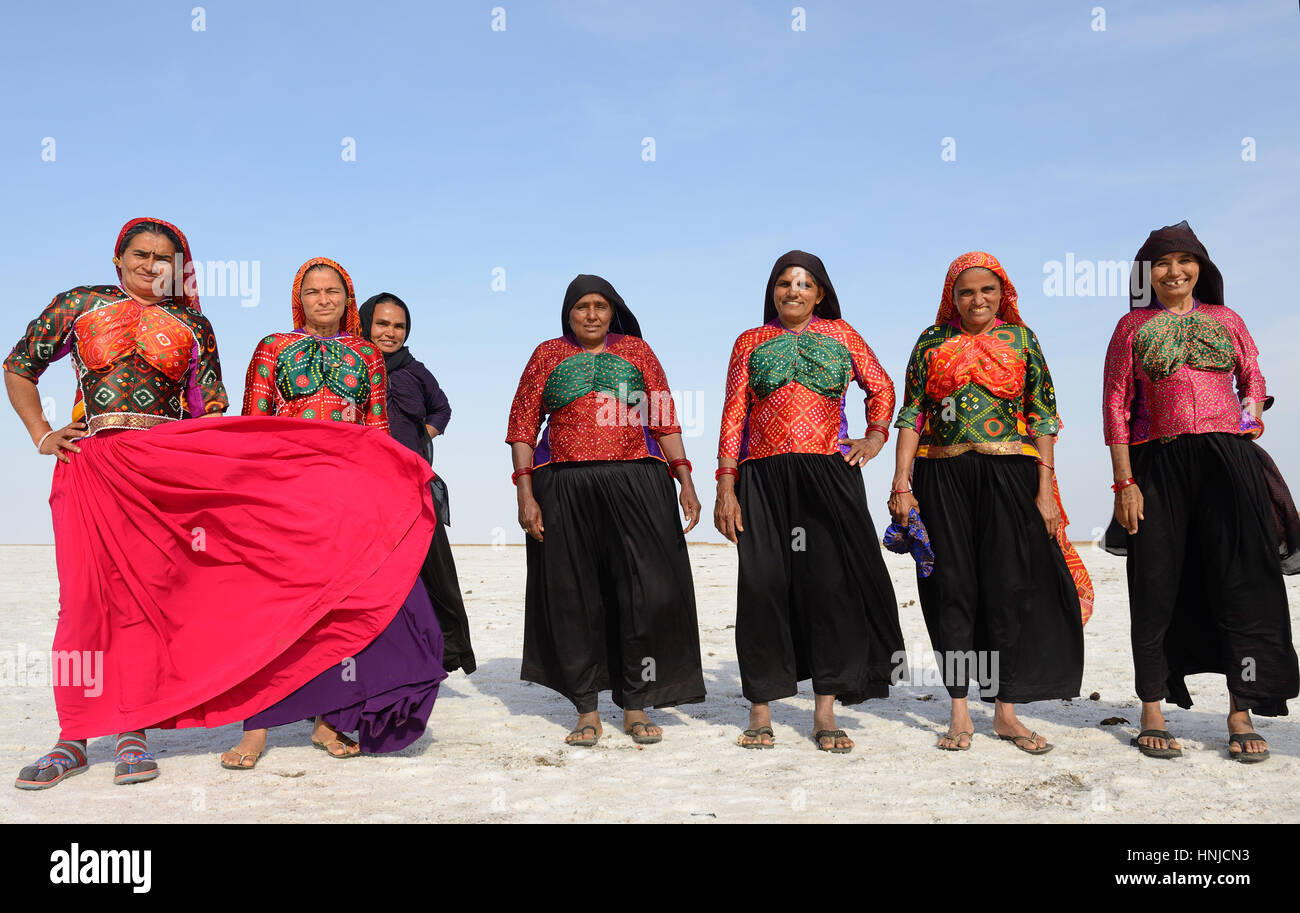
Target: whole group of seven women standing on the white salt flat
x=305, y=546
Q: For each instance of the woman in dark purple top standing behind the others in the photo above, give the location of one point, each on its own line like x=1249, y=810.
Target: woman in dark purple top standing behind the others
x=418, y=413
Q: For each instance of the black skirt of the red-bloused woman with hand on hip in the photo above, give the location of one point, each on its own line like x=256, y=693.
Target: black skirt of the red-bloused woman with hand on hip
x=814, y=596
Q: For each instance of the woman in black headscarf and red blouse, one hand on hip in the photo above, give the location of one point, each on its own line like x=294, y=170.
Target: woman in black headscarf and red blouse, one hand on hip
x=814, y=598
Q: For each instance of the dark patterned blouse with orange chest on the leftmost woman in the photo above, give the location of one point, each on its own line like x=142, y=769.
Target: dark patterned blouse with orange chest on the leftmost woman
x=137, y=365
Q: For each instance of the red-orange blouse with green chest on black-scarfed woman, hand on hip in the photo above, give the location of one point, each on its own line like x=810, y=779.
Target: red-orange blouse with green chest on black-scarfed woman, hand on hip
x=787, y=391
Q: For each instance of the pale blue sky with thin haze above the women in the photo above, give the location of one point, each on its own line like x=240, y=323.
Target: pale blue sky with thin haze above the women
x=522, y=150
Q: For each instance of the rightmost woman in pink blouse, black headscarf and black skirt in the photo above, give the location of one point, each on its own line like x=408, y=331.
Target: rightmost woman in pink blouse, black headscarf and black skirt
x=1184, y=400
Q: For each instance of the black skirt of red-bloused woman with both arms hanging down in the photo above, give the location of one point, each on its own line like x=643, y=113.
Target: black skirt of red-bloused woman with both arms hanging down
x=610, y=603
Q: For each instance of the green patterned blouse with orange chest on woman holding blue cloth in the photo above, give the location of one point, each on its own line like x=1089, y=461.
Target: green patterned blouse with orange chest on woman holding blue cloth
x=990, y=392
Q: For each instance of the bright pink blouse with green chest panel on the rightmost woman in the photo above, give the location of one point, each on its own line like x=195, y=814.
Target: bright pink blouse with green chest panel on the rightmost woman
x=1171, y=374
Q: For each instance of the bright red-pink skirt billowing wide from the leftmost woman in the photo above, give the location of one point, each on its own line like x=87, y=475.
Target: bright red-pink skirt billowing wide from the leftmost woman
x=211, y=568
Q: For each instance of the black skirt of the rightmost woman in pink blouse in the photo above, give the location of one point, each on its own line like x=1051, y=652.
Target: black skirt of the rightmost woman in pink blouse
x=1206, y=590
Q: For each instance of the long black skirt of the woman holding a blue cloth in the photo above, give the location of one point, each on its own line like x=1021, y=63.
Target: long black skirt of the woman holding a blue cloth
x=1000, y=607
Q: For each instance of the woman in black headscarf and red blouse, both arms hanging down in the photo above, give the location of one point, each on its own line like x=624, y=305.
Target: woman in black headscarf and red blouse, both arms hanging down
x=610, y=603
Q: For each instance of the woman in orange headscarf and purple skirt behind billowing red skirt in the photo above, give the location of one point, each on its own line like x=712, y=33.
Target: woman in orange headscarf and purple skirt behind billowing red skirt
x=326, y=370
